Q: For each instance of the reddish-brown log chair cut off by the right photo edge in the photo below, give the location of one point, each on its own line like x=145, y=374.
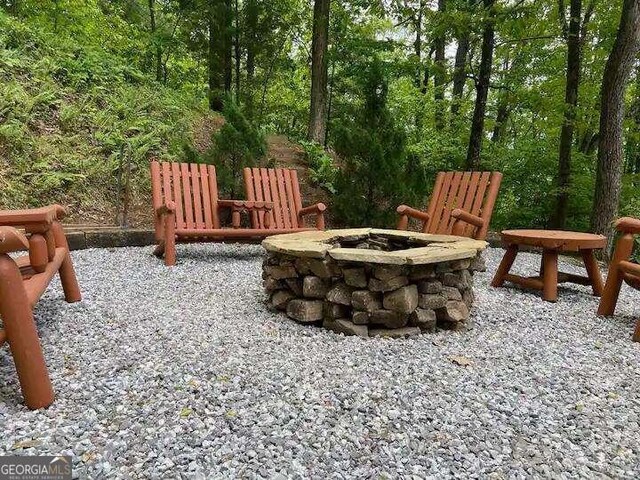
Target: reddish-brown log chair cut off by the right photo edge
x=622, y=269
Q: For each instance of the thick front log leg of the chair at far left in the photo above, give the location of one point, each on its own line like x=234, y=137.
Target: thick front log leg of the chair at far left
x=22, y=336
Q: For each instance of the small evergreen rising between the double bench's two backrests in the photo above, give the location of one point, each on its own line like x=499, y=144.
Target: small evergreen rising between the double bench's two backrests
x=238, y=144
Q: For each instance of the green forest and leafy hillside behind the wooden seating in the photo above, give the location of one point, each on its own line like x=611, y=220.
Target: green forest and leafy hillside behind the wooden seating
x=91, y=90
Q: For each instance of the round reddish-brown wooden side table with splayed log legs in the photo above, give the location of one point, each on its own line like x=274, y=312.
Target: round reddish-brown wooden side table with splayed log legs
x=552, y=243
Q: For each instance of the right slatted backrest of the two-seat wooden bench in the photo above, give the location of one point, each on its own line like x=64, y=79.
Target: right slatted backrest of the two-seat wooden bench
x=279, y=186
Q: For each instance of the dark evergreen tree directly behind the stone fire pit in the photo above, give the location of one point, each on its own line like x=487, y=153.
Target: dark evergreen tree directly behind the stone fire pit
x=371, y=180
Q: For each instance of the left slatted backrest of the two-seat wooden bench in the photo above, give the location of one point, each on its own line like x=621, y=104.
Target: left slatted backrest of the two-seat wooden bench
x=192, y=188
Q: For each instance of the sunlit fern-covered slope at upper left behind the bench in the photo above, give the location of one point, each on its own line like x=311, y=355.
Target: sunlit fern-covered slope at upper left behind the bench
x=74, y=113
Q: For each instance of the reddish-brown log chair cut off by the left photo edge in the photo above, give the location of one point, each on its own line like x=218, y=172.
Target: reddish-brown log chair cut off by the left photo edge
x=23, y=280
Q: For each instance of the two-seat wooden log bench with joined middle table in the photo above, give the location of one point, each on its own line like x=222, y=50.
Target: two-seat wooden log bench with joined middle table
x=187, y=207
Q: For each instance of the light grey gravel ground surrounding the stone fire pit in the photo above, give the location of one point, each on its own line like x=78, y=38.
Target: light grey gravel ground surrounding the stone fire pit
x=183, y=372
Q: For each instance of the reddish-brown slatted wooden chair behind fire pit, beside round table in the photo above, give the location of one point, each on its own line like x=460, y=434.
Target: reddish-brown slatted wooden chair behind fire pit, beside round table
x=461, y=204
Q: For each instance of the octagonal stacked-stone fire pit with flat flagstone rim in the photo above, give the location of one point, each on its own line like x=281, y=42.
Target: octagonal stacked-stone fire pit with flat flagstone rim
x=372, y=282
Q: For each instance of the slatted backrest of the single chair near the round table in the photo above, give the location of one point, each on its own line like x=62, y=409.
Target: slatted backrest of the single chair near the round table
x=474, y=192
